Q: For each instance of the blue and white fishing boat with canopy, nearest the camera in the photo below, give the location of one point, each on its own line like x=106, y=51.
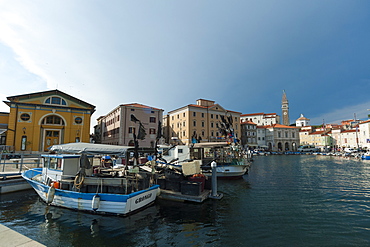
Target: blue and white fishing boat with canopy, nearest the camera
x=71, y=181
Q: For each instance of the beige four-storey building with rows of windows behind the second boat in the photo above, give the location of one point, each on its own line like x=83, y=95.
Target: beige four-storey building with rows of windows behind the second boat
x=200, y=121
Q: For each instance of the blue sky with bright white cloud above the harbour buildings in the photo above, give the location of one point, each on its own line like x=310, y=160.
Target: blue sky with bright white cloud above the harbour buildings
x=167, y=54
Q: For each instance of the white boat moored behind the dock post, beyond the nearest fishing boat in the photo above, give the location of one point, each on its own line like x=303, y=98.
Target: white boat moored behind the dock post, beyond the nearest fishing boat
x=231, y=161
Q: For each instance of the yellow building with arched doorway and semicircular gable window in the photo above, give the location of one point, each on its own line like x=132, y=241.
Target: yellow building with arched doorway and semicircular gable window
x=39, y=120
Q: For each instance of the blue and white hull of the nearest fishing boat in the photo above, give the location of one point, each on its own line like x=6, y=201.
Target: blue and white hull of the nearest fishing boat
x=116, y=204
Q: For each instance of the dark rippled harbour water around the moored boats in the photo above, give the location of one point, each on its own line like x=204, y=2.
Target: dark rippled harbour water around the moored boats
x=285, y=200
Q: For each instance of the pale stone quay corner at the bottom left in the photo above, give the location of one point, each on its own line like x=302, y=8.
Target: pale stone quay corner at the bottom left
x=10, y=238
